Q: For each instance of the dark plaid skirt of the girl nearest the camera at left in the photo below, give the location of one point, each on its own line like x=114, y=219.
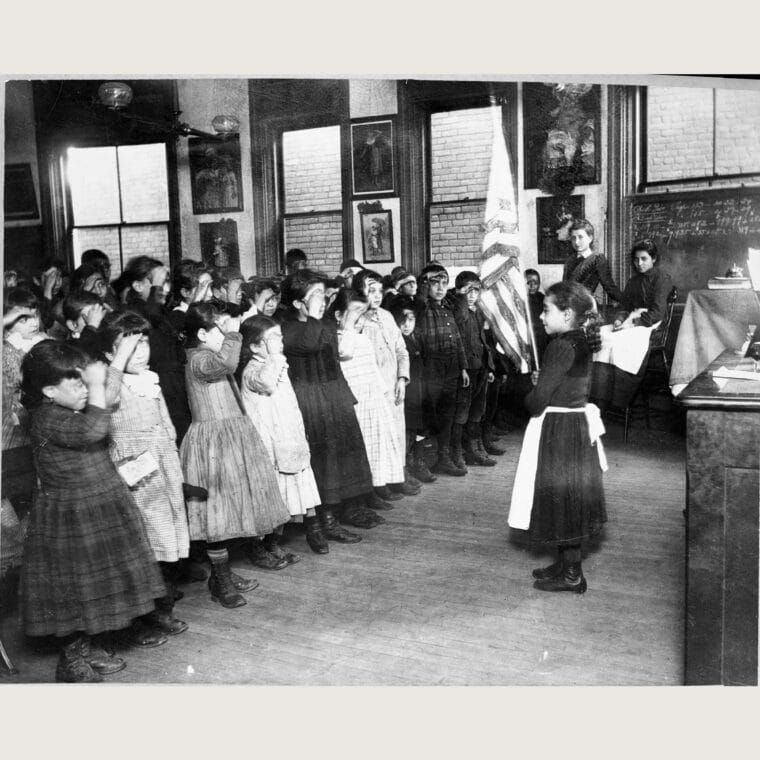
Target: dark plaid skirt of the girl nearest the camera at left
x=88, y=565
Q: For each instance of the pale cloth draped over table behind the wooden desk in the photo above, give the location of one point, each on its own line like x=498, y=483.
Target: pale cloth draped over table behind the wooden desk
x=713, y=321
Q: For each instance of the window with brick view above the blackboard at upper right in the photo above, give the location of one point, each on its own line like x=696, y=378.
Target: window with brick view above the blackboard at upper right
x=699, y=135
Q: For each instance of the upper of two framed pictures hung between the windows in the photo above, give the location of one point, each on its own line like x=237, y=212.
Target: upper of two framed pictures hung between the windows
x=372, y=157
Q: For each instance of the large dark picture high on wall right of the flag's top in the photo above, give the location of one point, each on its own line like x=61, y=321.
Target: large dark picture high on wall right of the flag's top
x=561, y=124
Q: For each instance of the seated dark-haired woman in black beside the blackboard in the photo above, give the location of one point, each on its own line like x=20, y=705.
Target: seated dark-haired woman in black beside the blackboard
x=645, y=297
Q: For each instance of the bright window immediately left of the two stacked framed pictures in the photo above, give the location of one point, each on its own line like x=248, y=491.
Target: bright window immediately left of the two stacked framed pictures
x=312, y=211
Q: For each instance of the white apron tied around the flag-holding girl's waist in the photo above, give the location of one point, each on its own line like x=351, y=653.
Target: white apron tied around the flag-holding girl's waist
x=523, y=488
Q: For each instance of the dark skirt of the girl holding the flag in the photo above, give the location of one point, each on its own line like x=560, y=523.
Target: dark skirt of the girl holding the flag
x=568, y=501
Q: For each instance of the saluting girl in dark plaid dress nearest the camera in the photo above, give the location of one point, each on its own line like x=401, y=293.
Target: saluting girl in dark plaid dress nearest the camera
x=88, y=567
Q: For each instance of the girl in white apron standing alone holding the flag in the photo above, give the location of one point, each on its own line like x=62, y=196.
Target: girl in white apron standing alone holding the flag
x=557, y=494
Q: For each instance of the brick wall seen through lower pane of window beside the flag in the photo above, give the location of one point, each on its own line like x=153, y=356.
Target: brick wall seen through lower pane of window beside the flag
x=456, y=233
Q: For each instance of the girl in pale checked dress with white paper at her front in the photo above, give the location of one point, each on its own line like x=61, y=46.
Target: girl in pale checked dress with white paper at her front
x=140, y=422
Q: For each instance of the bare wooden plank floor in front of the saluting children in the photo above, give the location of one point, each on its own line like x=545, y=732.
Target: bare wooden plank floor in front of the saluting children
x=442, y=594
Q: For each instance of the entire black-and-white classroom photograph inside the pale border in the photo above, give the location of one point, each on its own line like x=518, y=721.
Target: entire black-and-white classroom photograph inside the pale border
x=526, y=454
